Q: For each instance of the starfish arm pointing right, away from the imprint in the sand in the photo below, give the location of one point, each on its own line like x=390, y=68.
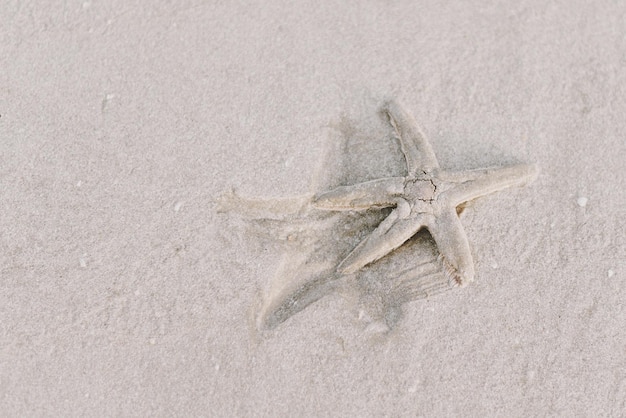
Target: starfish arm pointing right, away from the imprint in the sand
x=477, y=183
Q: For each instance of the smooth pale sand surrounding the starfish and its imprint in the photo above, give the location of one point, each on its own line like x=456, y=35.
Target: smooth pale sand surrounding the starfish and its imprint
x=123, y=292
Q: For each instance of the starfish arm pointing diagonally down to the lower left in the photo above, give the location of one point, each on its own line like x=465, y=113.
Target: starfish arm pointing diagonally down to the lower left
x=388, y=236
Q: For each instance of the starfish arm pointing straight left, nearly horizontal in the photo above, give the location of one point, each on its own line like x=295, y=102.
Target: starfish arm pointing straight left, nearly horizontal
x=376, y=193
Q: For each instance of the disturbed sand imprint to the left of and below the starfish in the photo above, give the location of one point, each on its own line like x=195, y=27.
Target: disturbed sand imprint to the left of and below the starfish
x=313, y=244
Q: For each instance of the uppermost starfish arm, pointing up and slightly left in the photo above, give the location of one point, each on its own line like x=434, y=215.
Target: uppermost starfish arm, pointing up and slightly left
x=415, y=147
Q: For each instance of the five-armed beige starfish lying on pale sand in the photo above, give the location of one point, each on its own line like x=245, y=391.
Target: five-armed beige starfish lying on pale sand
x=427, y=197
